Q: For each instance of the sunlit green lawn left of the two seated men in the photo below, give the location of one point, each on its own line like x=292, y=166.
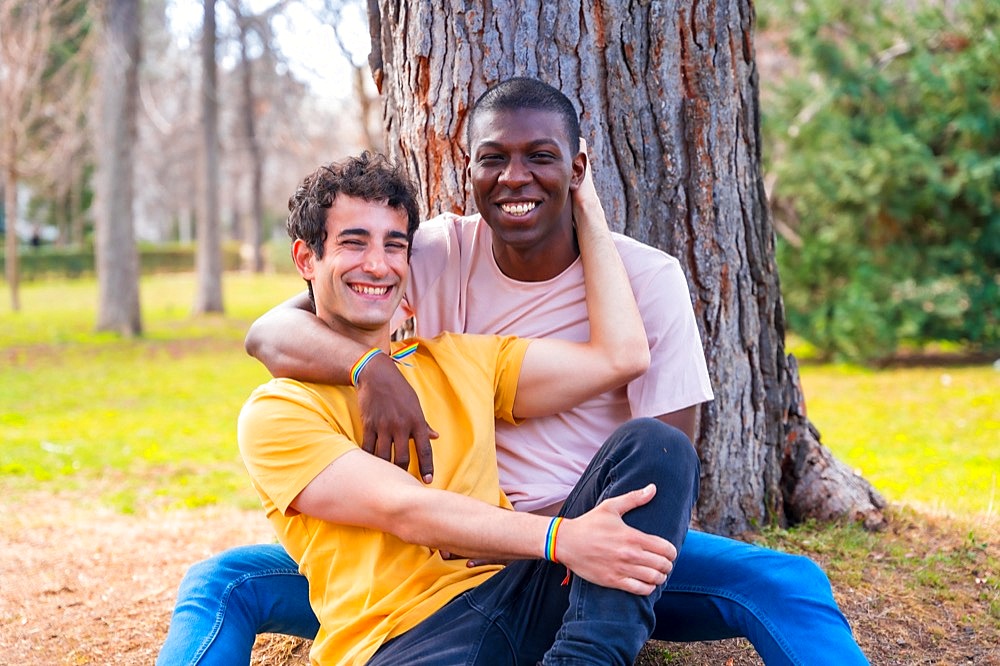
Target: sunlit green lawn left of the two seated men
x=139, y=423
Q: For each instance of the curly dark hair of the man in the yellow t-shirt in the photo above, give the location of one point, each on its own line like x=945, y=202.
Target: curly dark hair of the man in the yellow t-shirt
x=370, y=177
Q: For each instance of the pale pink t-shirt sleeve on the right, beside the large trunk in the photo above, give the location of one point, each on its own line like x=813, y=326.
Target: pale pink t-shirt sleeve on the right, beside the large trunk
x=677, y=375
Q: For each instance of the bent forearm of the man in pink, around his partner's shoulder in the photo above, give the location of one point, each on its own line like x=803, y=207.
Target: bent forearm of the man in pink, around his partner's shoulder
x=293, y=342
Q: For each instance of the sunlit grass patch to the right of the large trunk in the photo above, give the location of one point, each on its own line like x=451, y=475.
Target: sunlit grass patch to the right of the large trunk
x=928, y=437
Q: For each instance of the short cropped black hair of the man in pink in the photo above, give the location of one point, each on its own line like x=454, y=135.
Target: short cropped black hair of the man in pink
x=527, y=93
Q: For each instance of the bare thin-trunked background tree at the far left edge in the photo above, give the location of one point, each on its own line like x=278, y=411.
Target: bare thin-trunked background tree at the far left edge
x=42, y=90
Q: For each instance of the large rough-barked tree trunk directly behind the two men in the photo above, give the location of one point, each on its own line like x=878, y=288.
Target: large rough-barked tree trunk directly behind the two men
x=668, y=98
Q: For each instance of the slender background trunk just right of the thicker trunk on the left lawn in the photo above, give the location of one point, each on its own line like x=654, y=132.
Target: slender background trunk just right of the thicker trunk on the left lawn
x=208, y=259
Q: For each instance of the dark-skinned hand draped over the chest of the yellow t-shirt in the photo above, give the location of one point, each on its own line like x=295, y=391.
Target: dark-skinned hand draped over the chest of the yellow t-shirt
x=391, y=416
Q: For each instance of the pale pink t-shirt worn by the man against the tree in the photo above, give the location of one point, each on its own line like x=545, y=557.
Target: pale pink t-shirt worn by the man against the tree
x=455, y=285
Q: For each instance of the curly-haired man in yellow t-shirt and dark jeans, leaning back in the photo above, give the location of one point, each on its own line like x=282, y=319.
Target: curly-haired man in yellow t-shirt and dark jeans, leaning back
x=372, y=539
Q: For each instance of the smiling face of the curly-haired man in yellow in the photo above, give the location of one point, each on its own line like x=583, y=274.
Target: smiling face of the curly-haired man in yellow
x=361, y=277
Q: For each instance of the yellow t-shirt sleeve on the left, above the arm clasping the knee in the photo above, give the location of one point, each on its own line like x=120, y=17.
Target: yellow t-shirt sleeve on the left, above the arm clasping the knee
x=287, y=435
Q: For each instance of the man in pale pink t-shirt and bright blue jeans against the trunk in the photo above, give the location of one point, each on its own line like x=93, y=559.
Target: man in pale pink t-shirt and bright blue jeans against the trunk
x=515, y=271
